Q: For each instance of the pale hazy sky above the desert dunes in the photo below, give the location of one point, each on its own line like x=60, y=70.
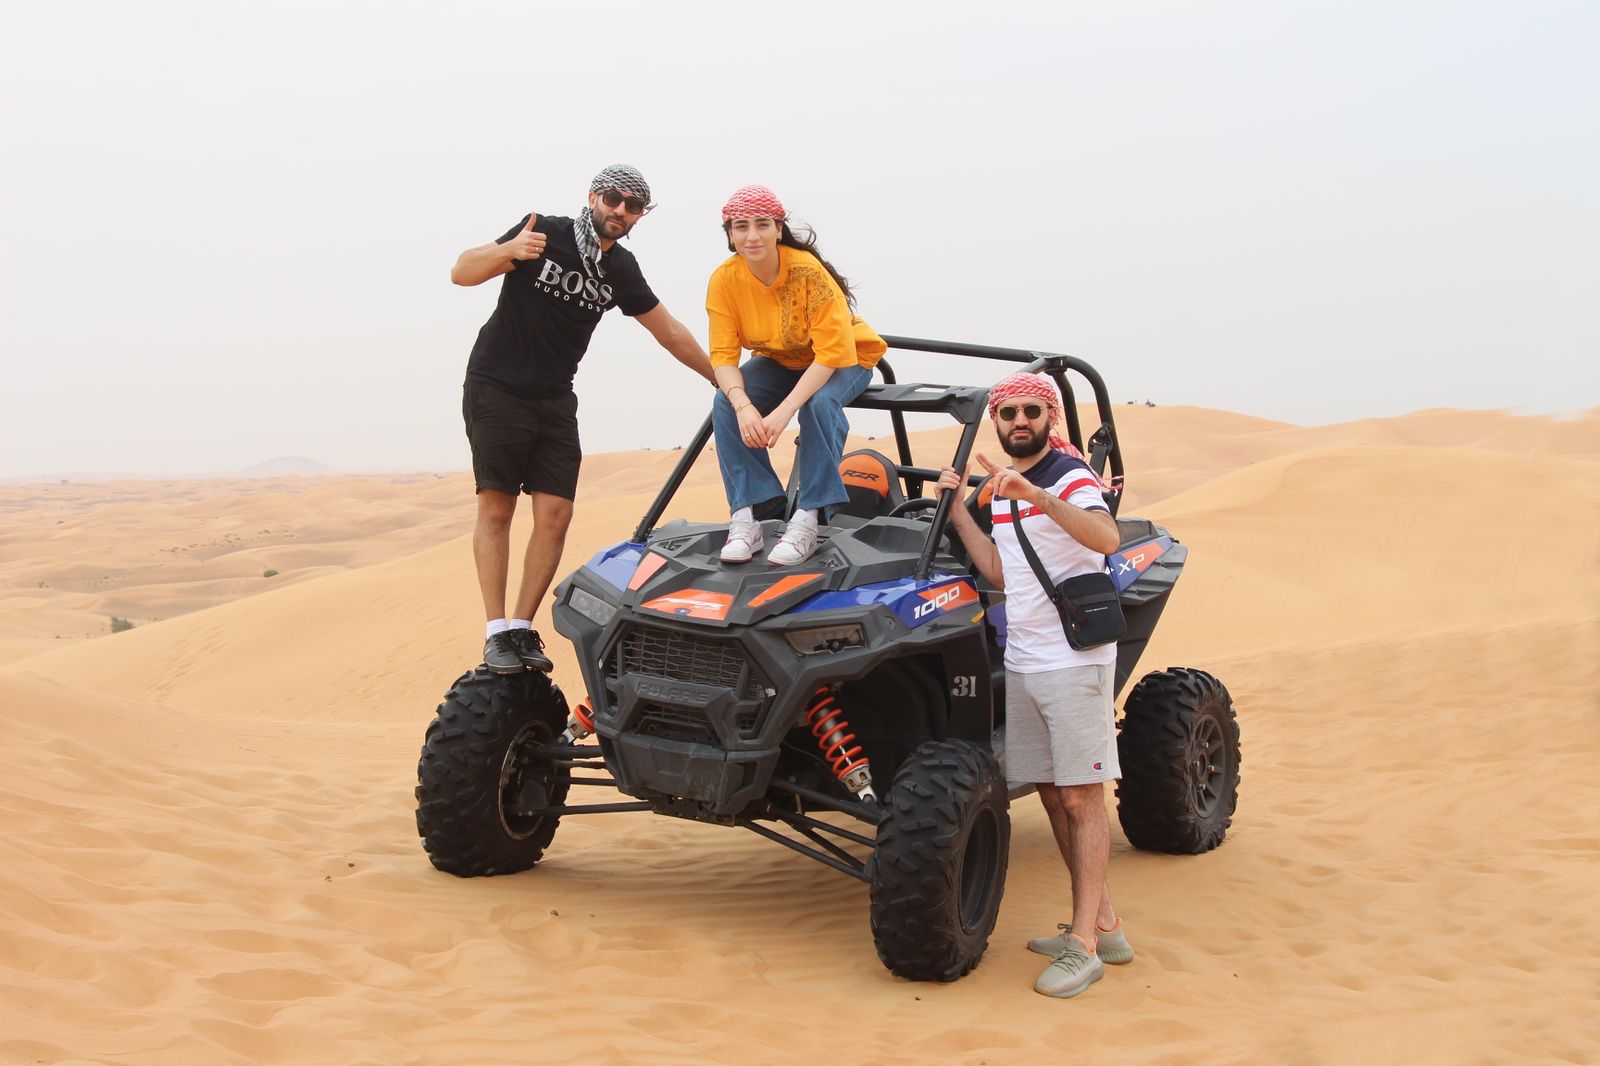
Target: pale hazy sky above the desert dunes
x=226, y=230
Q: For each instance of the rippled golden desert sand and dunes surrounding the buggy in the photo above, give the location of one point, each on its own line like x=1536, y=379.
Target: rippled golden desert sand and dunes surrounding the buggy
x=212, y=854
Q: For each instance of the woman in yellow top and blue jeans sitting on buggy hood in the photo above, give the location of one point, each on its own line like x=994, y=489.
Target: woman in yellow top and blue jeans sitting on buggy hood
x=810, y=356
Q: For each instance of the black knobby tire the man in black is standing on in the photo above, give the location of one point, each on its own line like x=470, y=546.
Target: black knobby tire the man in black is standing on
x=481, y=783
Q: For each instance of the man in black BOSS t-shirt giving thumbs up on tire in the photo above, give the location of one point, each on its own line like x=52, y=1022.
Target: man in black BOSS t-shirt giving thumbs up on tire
x=561, y=275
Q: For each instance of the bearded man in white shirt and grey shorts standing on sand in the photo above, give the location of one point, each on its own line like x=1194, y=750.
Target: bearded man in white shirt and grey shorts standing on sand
x=1062, y=734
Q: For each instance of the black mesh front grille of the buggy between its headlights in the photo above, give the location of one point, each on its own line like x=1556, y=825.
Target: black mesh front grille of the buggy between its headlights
x=689, y=657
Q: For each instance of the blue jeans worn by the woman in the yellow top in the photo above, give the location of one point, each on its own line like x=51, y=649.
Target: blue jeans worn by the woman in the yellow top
x=748, y=473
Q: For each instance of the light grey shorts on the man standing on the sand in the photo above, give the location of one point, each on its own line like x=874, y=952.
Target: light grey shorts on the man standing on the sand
x=1062, y=727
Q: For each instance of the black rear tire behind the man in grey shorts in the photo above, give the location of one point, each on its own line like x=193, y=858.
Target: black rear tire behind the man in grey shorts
x=1180, y=763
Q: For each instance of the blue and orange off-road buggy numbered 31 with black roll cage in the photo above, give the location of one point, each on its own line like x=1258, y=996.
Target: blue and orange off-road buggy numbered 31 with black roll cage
x=866, y=681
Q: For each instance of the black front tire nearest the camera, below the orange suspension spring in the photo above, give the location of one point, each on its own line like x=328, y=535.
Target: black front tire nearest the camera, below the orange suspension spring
x=938, y=870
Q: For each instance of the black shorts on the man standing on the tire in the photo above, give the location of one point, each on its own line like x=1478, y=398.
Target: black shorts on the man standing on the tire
x=522, y=446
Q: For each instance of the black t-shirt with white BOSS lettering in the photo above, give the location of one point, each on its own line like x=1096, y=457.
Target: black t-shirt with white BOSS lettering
x=548, y=311
